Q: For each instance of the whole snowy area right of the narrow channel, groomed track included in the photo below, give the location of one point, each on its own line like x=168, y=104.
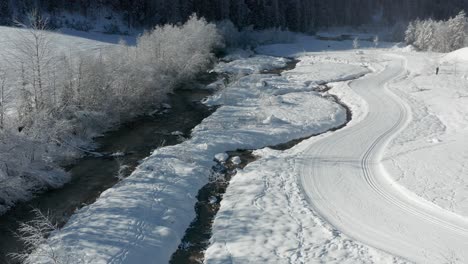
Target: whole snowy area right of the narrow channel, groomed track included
x=393, y=179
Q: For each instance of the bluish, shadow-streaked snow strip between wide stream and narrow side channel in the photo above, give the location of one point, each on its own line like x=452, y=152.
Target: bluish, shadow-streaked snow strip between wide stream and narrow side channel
x=143, y=218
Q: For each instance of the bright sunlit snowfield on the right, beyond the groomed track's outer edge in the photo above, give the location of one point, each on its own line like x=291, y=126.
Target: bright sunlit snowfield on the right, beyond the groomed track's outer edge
x=430, y=157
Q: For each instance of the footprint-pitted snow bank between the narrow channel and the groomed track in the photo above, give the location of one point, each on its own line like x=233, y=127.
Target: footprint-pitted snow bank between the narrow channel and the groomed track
x=265, y=217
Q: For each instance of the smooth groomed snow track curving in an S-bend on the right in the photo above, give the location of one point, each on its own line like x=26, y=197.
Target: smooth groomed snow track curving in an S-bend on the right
x=345, y=182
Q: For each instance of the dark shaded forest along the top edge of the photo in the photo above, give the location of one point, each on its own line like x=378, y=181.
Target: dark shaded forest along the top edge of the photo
x=295, y=15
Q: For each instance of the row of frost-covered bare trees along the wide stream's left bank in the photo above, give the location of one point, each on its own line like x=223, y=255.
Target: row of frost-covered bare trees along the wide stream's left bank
x=64, y=100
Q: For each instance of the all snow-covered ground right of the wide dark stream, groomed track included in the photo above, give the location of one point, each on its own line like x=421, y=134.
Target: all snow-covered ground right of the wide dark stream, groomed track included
x=272, y=213
